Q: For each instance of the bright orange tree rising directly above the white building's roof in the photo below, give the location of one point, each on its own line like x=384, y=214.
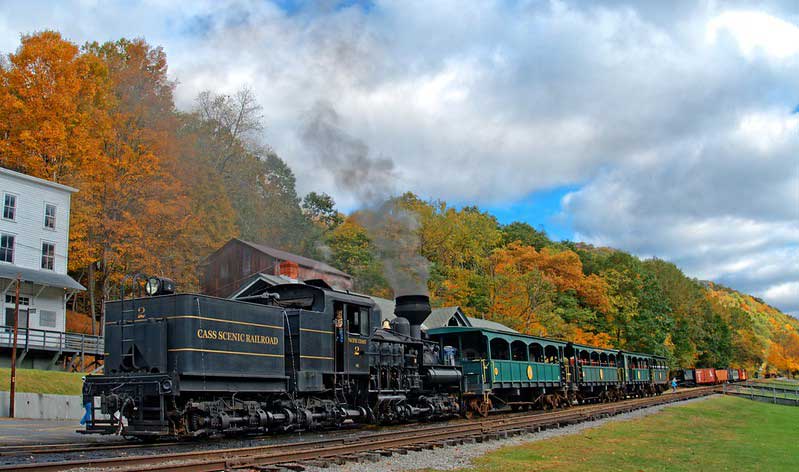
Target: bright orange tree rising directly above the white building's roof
x=52, y=102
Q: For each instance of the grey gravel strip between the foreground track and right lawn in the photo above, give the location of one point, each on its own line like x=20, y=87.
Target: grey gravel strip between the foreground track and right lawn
x=457, y=457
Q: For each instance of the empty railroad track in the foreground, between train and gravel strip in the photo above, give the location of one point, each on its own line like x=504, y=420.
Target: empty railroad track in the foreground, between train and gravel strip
x=368, y=446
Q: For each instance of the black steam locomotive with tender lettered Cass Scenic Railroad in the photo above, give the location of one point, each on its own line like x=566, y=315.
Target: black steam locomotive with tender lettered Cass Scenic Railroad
x=299, y=356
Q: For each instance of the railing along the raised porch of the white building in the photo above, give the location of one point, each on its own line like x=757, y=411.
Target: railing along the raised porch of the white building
x=57, y=341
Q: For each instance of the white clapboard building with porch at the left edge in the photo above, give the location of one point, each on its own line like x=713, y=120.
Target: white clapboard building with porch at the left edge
x=34, y=243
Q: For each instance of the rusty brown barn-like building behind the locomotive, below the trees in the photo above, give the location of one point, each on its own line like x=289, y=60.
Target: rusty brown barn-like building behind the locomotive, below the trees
x=237, y=261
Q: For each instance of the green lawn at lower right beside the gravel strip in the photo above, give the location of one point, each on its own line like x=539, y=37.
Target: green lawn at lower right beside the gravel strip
x=724, y=433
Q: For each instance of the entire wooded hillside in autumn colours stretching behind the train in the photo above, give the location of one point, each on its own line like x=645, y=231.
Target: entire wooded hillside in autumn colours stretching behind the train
x=161, y=188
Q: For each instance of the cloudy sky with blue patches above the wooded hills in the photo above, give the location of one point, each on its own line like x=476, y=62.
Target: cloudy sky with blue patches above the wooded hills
x=669, y=129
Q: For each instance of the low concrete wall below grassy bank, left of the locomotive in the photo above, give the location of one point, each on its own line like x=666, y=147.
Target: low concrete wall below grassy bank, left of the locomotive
x=43, y=406
